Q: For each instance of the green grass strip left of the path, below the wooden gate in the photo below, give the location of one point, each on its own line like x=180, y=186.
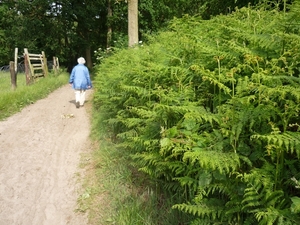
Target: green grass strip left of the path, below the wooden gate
x=12, y=101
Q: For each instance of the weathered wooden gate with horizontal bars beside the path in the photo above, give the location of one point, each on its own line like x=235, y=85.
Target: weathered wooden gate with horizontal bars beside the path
x=35, y=66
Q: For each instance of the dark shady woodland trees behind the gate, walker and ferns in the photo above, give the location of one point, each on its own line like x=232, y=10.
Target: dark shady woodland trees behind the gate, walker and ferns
x=68, y=29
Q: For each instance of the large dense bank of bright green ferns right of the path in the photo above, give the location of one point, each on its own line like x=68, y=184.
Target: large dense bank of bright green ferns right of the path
x=210, y=111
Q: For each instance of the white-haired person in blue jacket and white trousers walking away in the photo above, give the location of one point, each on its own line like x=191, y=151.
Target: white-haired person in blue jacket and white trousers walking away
x=80, y=81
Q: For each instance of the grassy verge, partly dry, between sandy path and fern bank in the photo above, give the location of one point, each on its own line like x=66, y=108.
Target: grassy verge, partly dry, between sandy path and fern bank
x=114, y=193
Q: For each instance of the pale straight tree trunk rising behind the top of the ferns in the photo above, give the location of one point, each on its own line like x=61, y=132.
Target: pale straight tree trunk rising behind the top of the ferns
x=133, y=35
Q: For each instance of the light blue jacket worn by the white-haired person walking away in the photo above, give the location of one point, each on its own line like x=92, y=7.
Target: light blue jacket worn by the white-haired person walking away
x=80, y=77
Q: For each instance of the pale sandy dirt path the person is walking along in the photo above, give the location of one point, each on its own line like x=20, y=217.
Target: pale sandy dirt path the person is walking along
x=40, y=150
